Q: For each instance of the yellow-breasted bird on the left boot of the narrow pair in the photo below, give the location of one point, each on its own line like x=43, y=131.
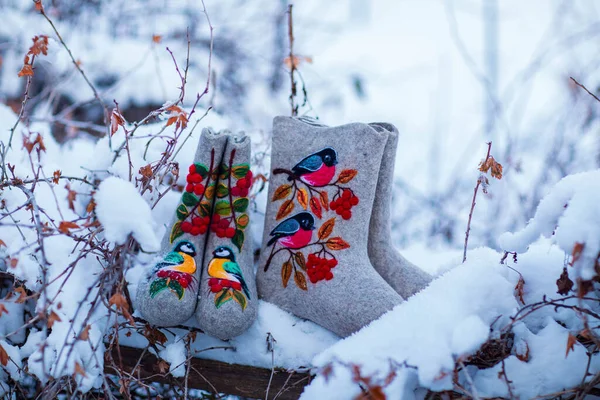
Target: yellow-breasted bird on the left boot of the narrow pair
x=178, y=265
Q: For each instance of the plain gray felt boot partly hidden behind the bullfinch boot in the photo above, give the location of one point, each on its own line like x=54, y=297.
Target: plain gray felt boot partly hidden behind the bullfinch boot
x=406, y=278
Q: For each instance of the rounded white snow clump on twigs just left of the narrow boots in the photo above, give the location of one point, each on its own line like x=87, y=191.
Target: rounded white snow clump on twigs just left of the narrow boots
x=122, y=211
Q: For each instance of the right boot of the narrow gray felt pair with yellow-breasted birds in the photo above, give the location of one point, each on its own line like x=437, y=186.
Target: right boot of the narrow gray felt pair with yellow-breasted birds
x=227, y=302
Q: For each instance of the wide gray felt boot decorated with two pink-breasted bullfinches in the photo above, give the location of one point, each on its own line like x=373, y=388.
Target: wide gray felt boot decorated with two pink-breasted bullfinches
x=314, y=261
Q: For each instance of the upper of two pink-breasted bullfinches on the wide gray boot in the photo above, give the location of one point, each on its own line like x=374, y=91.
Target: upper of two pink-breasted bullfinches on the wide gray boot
x=318, y=169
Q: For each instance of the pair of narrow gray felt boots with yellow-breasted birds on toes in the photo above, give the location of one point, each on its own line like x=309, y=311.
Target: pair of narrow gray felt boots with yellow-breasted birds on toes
x=207, y=268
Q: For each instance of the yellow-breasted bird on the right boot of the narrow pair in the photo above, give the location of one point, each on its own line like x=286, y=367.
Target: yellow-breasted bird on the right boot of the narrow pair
x=224, y=272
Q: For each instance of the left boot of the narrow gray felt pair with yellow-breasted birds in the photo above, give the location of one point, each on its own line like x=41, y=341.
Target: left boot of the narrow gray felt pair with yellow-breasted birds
x=167, y=295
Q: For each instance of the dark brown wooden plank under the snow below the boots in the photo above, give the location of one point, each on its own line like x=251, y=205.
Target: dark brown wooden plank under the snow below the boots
x=211, y=375
